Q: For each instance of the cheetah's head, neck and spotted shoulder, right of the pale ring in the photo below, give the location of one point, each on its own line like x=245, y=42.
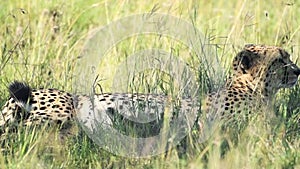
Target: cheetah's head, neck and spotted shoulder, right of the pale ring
x=259, y=71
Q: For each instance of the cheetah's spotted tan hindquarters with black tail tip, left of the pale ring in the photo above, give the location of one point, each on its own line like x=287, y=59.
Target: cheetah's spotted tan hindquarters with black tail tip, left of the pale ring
x=36, y=106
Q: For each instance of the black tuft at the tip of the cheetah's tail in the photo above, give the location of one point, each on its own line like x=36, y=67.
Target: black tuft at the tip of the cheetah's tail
x=20, y=91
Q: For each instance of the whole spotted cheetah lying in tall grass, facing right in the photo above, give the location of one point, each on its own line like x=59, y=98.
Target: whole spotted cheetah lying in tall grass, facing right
x=258, y=72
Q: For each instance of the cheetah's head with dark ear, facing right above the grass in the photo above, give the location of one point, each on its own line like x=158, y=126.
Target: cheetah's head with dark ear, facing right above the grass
x=269, y=67
